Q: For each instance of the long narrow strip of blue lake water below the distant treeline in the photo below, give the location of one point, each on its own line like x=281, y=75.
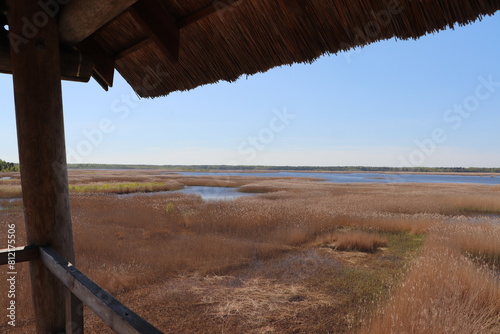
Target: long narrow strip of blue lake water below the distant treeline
x=367, y=177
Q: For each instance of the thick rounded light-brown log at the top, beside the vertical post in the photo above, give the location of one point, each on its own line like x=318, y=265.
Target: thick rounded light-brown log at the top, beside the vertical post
x=81, y=18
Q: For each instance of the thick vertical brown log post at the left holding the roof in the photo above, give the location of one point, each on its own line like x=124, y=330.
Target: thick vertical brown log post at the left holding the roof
x=39, y=115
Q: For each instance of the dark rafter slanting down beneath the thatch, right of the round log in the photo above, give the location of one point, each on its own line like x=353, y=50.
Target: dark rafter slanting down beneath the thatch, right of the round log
x=159, y=25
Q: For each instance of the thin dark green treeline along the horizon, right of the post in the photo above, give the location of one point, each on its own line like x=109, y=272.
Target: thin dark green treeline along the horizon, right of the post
x=294, y=168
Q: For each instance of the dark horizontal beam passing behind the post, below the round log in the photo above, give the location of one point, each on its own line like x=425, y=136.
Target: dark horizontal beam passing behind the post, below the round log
x=75, y=66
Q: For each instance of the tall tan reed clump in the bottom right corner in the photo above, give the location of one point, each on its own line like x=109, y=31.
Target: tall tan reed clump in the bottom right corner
x=444, y=293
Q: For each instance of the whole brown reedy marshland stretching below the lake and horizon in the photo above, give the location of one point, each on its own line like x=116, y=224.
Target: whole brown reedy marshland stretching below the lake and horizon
x=295, y=255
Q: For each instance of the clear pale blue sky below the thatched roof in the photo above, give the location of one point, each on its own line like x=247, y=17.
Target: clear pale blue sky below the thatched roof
x=430, y=102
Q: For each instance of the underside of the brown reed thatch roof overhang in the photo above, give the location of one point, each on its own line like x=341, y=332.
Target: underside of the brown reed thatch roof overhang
x=224, y=39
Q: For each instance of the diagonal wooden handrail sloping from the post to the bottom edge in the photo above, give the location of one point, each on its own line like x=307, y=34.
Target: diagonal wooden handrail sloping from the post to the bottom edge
x=116, y=315
